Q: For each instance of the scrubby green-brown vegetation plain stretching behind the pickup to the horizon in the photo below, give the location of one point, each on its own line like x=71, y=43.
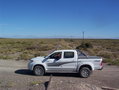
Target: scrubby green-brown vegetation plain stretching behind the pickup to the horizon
x=24, y=49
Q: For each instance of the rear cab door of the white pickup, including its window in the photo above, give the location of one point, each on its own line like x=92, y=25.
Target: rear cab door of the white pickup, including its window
x=69, y=61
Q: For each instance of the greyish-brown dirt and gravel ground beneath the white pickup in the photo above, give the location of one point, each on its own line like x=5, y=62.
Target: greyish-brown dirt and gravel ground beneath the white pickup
x=15, y=76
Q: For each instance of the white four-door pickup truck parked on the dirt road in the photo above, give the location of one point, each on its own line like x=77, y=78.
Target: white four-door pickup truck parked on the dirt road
x=65, y=61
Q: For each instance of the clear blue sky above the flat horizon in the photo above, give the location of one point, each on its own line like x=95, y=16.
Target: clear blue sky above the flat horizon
x=59, y=18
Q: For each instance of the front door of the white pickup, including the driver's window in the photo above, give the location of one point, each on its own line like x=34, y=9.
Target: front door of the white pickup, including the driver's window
x=53, y=62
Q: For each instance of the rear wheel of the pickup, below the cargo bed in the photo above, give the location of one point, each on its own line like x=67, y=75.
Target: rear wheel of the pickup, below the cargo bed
x=85, y=72
